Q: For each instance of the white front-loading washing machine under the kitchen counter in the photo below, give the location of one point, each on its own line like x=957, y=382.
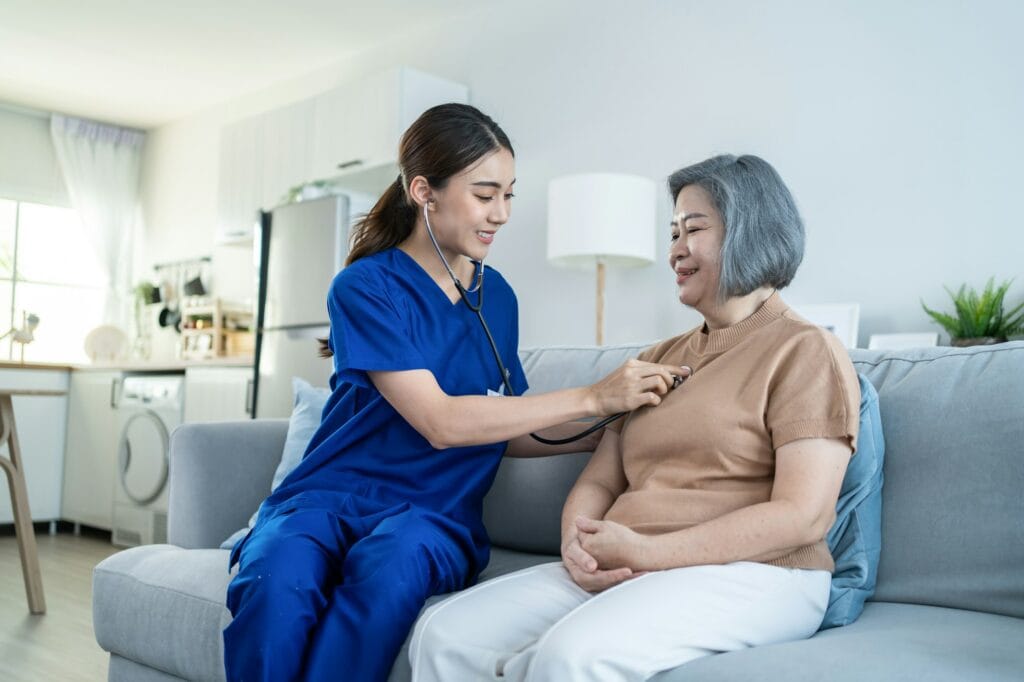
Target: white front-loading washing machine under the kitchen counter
x=150, y=408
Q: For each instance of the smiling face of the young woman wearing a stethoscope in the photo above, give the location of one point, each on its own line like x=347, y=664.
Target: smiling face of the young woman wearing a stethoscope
x=475, y=204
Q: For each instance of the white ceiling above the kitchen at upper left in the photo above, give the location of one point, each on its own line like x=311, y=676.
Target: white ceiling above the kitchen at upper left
x=144, y=63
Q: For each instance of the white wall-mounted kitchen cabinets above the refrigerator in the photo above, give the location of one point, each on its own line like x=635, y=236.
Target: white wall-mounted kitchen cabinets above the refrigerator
x=352, y=131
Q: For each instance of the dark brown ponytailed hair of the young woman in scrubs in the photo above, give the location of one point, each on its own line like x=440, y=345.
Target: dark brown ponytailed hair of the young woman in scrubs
x=443, y=143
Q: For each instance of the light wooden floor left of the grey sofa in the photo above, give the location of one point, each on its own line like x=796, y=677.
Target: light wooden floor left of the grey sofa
x=59, y=646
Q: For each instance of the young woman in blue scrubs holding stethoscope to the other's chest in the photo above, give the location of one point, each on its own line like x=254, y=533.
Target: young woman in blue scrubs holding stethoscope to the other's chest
x=386, y=508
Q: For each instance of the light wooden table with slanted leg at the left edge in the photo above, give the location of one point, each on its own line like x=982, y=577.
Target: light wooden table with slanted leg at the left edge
x=20, y=498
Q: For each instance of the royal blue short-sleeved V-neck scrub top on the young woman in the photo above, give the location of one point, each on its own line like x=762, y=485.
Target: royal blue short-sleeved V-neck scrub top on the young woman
x=389, y=315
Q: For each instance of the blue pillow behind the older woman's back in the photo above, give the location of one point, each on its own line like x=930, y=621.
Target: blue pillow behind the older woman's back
x=856, y=539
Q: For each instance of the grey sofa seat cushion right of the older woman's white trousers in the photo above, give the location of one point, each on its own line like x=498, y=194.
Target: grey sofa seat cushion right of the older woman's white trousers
x=889, y=643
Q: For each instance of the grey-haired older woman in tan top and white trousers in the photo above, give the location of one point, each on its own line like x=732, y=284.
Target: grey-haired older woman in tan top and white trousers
x=699, y=526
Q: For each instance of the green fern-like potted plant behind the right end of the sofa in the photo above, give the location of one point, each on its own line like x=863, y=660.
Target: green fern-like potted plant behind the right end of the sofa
x=980, y=318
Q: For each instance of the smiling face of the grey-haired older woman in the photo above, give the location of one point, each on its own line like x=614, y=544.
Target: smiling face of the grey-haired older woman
x=696, y=254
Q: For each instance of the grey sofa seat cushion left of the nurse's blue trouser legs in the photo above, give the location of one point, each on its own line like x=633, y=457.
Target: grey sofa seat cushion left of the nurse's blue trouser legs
x=163, y=607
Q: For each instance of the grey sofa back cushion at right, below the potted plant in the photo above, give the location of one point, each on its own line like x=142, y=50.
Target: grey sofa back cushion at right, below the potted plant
x=953, y=511
